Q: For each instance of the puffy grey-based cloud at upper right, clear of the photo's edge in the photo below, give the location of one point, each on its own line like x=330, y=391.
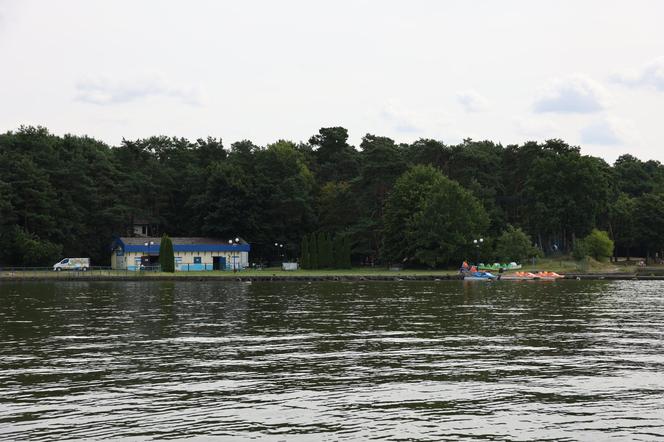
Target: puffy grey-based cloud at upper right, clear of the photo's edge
x=574, y=94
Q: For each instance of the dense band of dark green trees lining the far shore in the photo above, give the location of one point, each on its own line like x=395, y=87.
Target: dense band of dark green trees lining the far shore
x=421, y=203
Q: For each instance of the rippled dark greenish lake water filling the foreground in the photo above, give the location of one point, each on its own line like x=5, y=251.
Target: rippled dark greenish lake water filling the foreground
x=566, y=360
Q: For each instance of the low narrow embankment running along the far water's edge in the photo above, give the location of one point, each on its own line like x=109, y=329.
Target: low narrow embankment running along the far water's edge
x=309, y=278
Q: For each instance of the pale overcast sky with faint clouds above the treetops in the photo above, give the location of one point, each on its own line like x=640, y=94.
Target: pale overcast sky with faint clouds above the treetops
x=589, y=72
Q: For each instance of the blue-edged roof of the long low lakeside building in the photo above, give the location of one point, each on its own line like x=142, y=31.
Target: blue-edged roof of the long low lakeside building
x=180, y=244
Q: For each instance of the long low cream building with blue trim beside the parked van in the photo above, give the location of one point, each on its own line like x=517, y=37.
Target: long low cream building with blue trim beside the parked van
x=191, y=254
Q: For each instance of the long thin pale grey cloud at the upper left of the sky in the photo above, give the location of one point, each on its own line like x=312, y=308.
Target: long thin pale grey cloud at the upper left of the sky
x=104, y=90
